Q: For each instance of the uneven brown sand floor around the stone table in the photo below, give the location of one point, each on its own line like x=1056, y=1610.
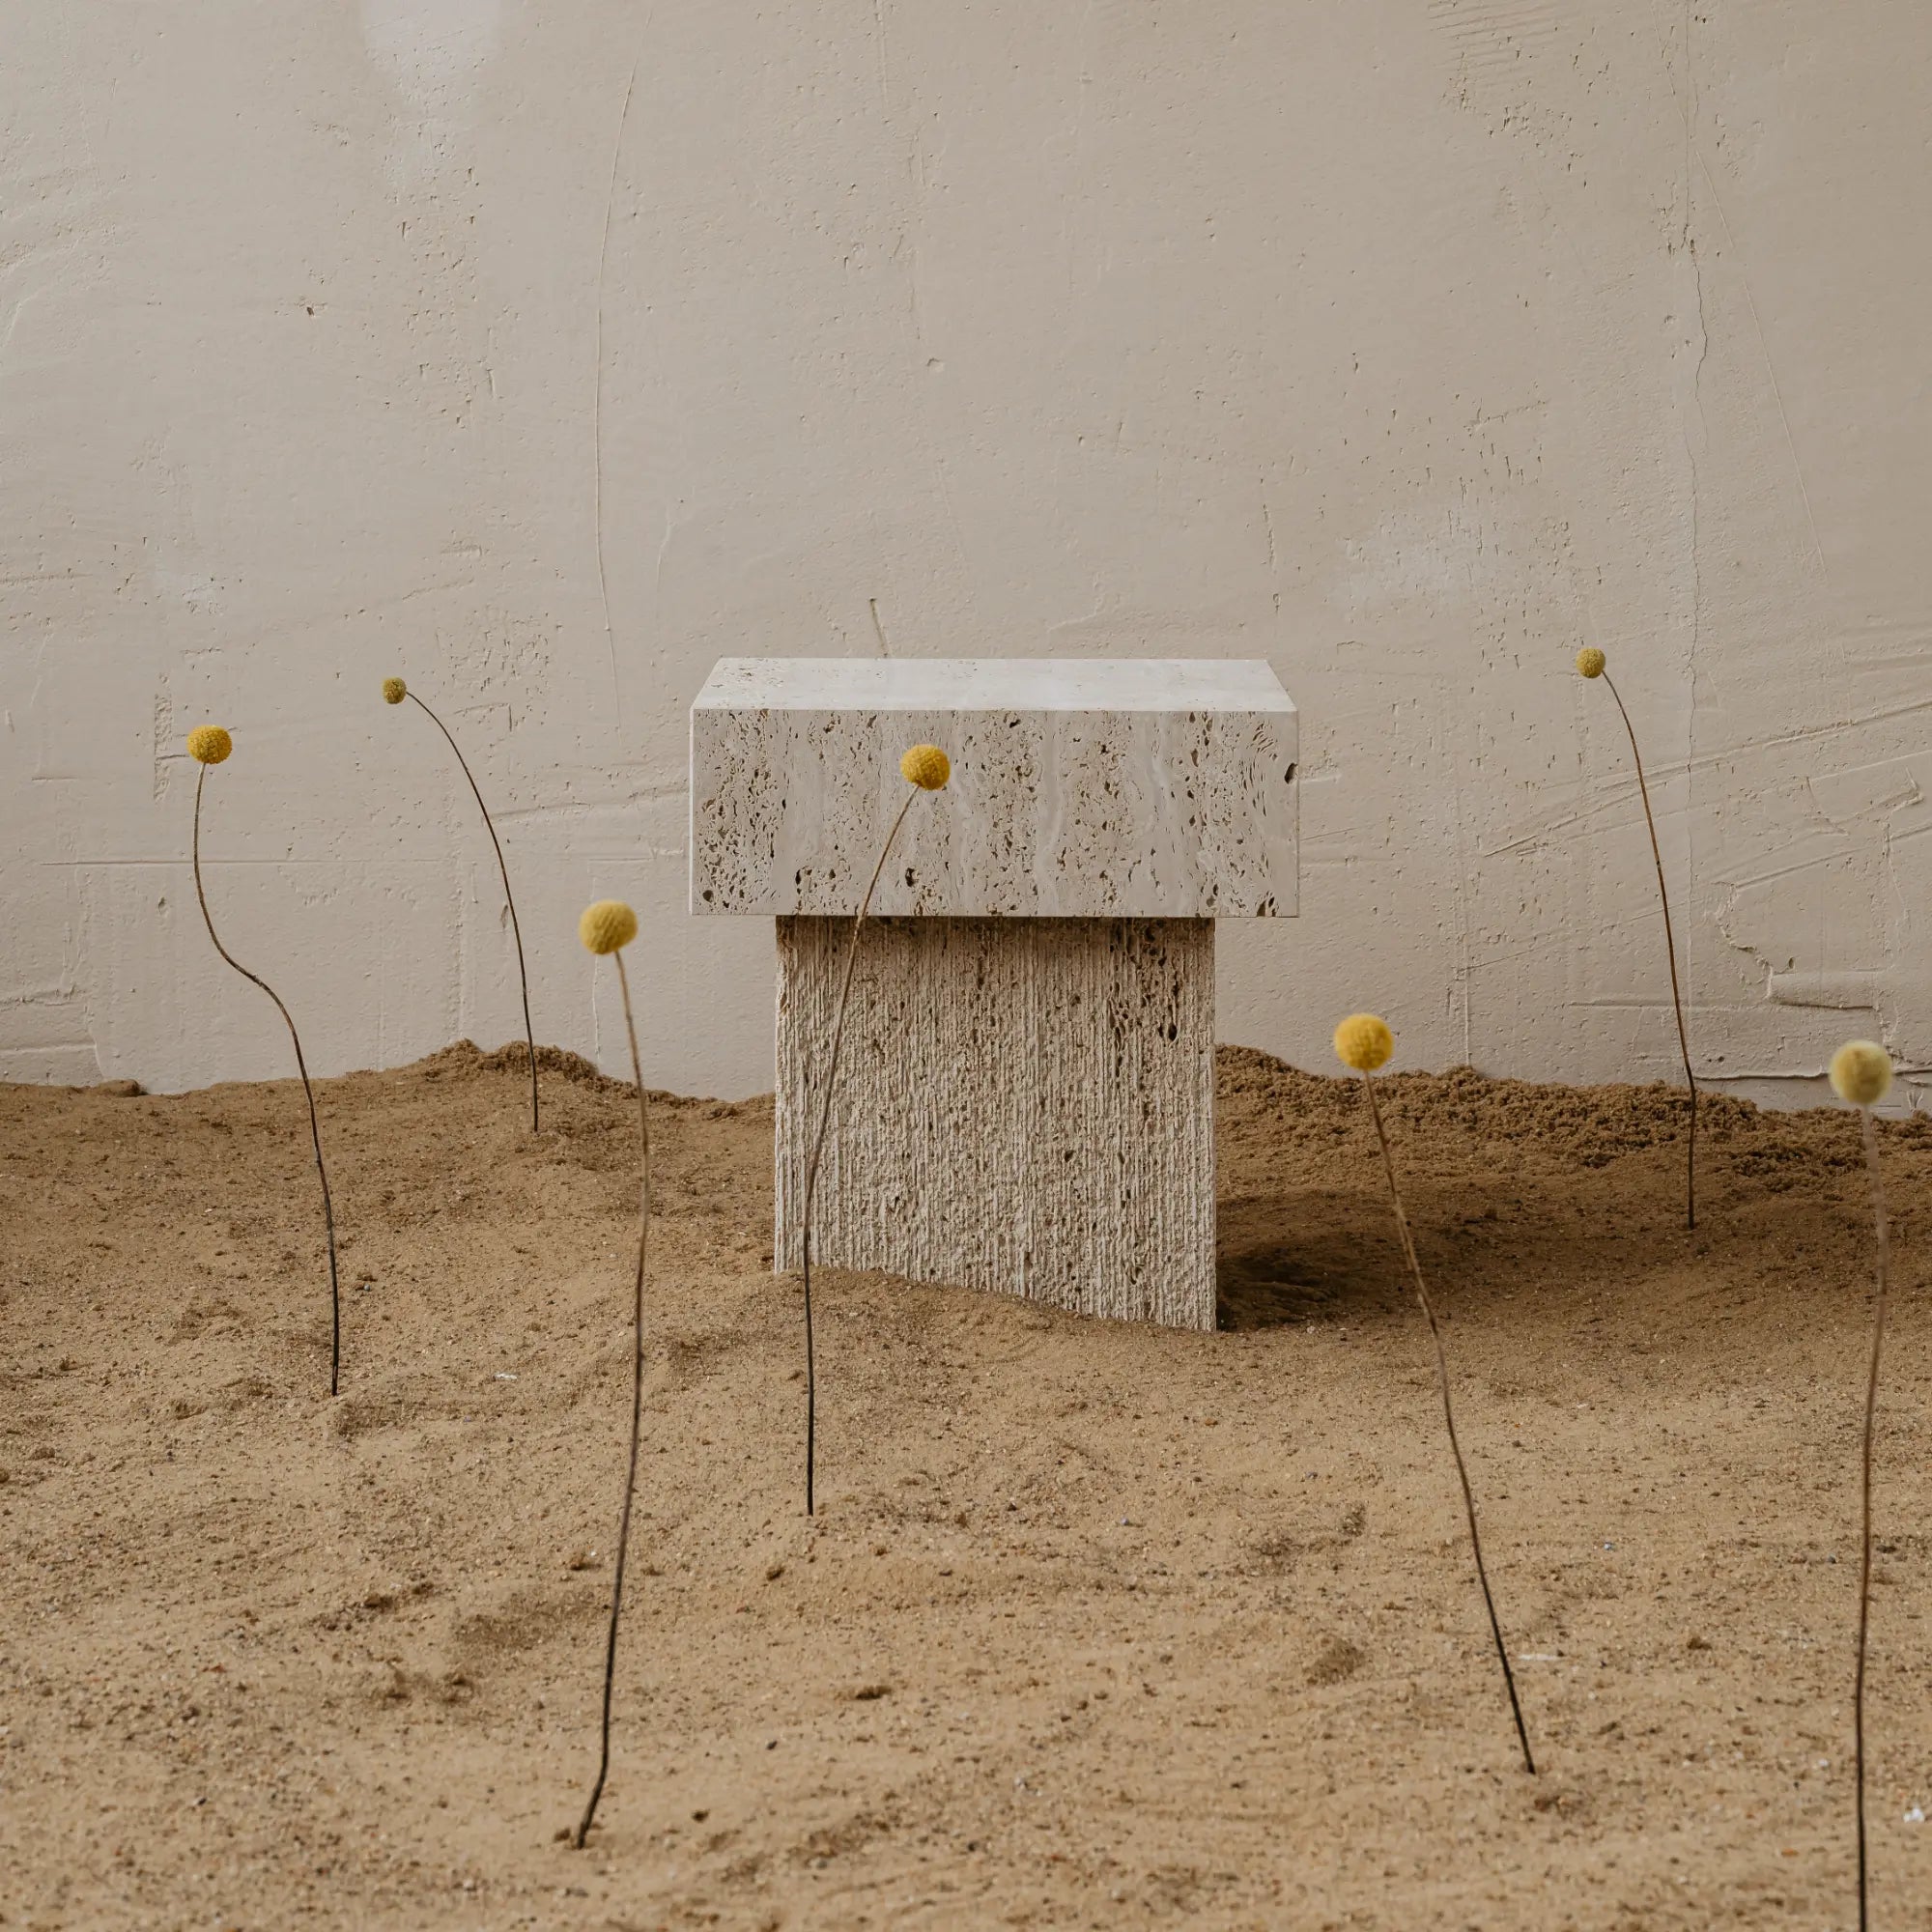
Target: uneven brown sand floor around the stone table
x=1098, y=1626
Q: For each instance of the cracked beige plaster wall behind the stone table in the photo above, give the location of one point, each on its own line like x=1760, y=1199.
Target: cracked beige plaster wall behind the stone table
x=550, y=353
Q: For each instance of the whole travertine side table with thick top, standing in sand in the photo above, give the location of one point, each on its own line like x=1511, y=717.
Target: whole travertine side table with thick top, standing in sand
x=1027, y=1091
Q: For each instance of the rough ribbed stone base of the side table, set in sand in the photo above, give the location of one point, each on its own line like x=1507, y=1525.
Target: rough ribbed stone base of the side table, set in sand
x=1023, y=1106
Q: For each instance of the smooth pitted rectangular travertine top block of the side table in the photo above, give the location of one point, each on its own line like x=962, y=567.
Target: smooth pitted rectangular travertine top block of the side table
x=1081, y=789
